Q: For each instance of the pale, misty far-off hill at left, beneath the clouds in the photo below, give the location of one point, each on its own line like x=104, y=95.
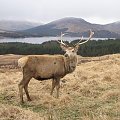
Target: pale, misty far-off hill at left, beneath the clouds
x=10, y=25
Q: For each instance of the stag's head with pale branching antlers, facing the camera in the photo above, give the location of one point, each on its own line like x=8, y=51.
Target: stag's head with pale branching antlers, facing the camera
x=72, y=51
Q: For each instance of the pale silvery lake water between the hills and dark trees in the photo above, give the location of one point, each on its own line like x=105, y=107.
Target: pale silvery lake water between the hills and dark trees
x=39, y=40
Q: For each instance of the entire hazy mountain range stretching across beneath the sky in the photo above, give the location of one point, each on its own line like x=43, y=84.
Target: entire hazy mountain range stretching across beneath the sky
x=70, y=25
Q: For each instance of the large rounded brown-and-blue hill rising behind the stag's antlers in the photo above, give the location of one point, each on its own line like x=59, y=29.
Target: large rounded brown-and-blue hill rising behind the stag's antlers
x=76, y=27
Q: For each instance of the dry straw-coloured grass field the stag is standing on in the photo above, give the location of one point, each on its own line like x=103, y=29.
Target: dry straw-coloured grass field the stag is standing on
x=92, y=92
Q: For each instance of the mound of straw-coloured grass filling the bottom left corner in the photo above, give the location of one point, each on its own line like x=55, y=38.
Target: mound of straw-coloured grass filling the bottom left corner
x=9, y=112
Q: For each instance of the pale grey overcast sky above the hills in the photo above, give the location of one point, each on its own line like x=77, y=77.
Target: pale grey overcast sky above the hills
x=94, y=11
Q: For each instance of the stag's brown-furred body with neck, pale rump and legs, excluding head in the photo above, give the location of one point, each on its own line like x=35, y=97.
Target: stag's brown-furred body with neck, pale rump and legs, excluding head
x=43, y=67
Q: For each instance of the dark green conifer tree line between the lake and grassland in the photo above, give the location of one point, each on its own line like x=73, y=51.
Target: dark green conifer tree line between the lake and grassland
x=91, y=48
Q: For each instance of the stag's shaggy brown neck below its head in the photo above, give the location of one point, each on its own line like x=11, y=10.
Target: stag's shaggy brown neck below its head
x=70, y=64
